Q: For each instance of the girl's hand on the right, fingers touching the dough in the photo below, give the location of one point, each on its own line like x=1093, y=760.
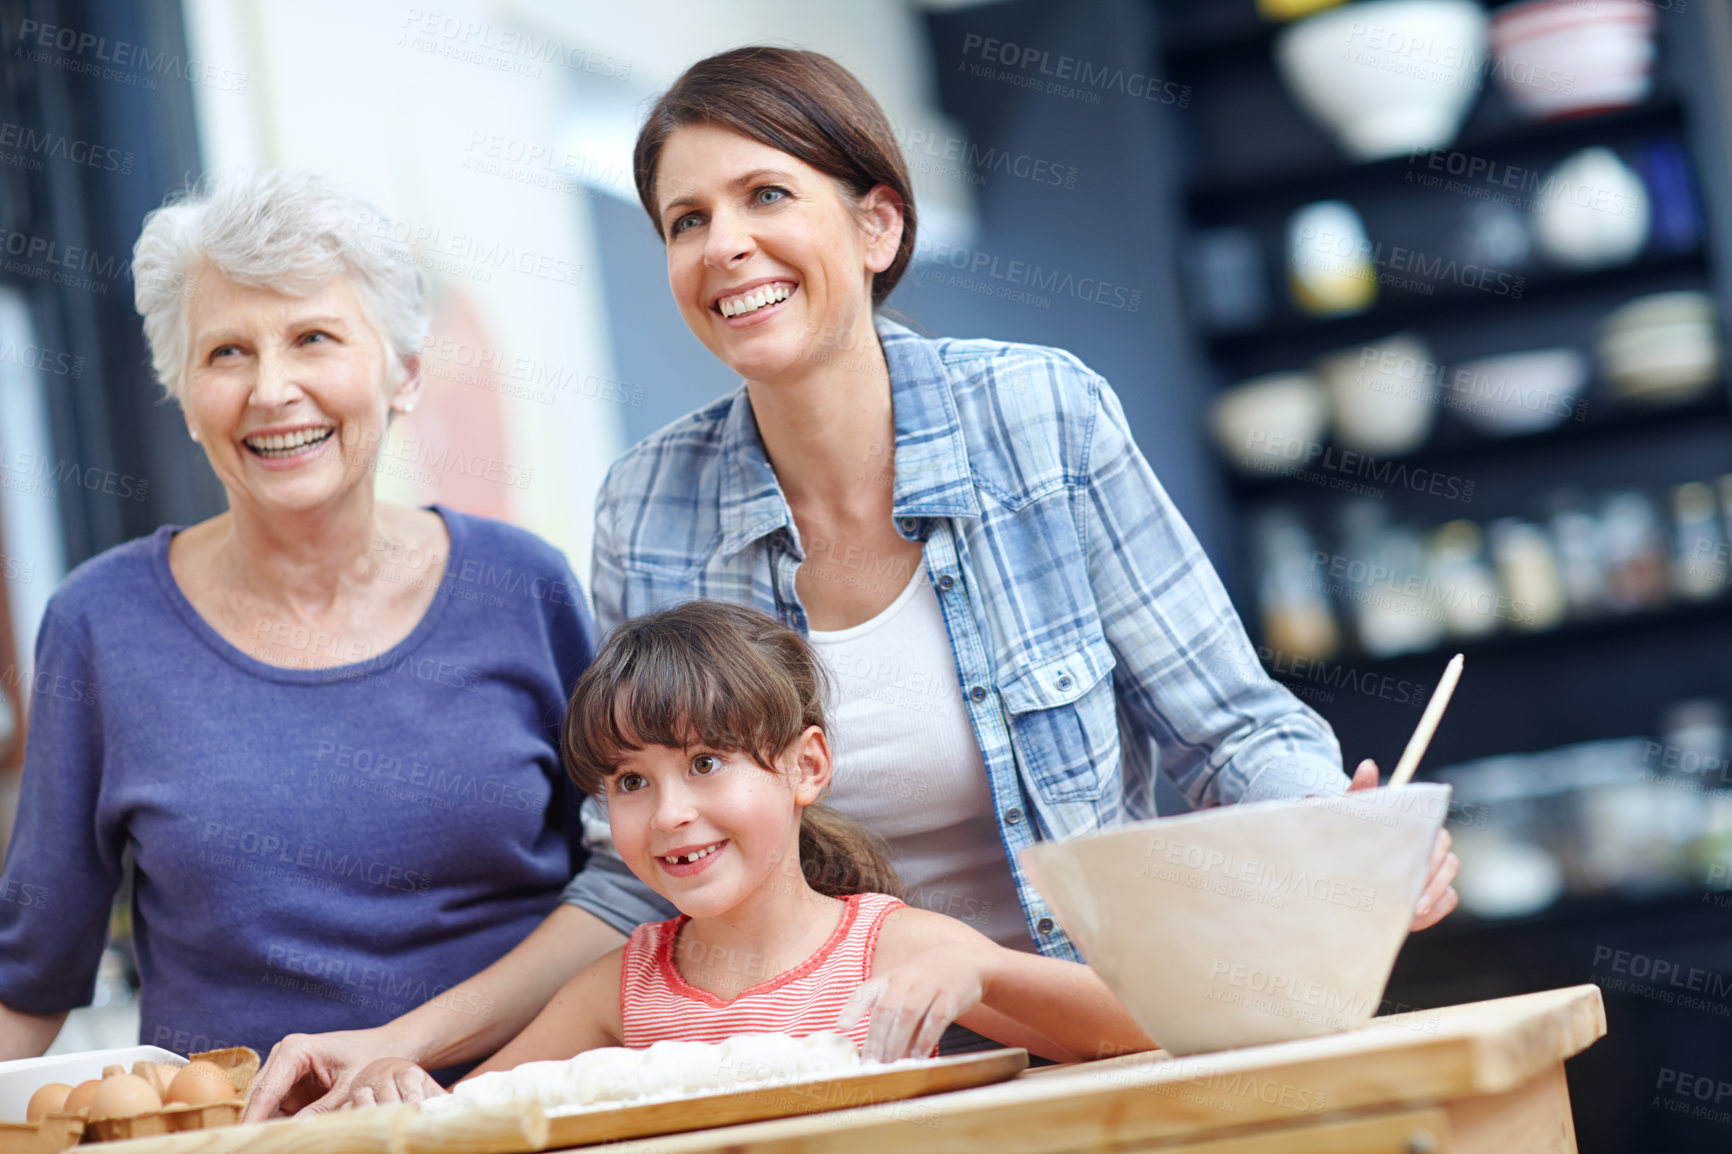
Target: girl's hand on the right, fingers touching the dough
x=915, y=1002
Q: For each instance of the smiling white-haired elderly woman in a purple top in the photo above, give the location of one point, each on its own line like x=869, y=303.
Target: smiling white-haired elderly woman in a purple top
x=335, y=768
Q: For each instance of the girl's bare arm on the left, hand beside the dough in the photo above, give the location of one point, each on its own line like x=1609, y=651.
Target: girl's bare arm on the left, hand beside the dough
x=583, y=1016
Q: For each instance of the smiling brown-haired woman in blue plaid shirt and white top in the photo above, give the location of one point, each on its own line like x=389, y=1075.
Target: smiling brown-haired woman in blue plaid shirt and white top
x=1021, y=625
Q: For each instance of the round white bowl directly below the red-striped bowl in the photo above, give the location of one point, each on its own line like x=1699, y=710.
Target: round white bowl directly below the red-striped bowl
x=1593, y=212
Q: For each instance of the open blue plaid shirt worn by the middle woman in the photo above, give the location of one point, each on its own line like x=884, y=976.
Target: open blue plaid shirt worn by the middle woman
x=1094, y=640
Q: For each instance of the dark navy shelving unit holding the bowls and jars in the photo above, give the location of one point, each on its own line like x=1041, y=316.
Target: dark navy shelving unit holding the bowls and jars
x=1251, y=159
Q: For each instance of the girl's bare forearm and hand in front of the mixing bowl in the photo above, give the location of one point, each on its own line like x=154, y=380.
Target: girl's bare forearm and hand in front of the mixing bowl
x=931, y=971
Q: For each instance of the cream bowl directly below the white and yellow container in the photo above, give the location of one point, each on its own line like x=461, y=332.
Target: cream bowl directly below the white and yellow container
x=1385, y=394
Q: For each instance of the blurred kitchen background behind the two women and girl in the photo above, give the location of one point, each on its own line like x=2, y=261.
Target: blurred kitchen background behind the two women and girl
x=1418, y=309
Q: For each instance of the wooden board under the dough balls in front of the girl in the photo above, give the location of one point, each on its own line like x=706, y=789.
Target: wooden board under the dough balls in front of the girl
x=886, y=1089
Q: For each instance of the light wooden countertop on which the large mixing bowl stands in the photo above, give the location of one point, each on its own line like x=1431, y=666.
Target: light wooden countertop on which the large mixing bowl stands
x=1411, y=1060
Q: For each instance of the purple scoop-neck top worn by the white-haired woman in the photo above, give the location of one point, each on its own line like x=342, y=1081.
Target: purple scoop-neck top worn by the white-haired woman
x=314, y=848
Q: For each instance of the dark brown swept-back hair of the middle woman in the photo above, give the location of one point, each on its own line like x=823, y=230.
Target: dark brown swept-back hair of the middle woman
x=798, y=103
